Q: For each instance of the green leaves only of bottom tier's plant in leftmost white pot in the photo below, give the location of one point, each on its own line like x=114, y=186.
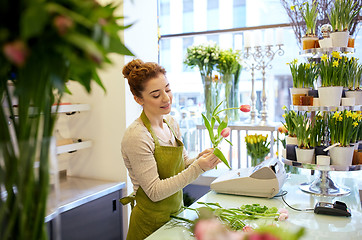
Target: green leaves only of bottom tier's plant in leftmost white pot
x=303, y=130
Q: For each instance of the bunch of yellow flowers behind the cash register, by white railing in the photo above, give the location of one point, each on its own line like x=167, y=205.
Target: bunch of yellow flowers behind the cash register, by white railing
x=257, y=147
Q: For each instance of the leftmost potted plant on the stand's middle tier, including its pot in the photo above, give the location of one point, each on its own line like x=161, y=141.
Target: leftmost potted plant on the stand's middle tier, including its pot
x=303, y=75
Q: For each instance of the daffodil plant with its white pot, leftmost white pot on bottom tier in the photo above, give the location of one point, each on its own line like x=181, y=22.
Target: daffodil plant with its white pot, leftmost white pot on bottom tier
x=304, y=151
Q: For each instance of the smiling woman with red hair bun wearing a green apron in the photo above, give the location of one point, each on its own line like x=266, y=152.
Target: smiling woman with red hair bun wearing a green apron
x=157, y=162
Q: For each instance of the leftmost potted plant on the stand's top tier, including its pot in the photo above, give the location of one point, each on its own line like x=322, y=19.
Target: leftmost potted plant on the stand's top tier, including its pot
x=309, y=13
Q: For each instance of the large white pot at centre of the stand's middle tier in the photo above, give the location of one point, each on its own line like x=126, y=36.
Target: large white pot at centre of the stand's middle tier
x=330, y=96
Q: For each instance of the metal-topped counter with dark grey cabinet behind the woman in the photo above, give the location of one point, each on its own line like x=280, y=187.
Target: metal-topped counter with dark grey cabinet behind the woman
x=86, y=208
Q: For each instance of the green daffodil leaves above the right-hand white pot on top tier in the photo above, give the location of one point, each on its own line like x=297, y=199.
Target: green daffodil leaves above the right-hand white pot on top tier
x=342, y=14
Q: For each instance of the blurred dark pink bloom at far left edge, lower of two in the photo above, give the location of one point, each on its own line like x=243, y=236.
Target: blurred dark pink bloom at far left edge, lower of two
x=16, y=52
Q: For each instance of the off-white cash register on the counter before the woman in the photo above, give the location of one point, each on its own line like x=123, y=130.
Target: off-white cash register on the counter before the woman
x=263, y=180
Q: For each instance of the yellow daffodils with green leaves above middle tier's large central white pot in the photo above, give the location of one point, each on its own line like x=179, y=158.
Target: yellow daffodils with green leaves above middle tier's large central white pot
x=333, y=70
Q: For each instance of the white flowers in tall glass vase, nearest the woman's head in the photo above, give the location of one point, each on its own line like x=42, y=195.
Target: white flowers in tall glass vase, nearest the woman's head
x=205, y=57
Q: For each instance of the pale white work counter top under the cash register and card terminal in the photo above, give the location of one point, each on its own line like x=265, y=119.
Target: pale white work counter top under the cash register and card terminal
x=317, y=226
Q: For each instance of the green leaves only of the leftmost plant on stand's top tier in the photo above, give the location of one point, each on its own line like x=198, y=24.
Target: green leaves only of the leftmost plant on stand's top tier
x=309, y=13
